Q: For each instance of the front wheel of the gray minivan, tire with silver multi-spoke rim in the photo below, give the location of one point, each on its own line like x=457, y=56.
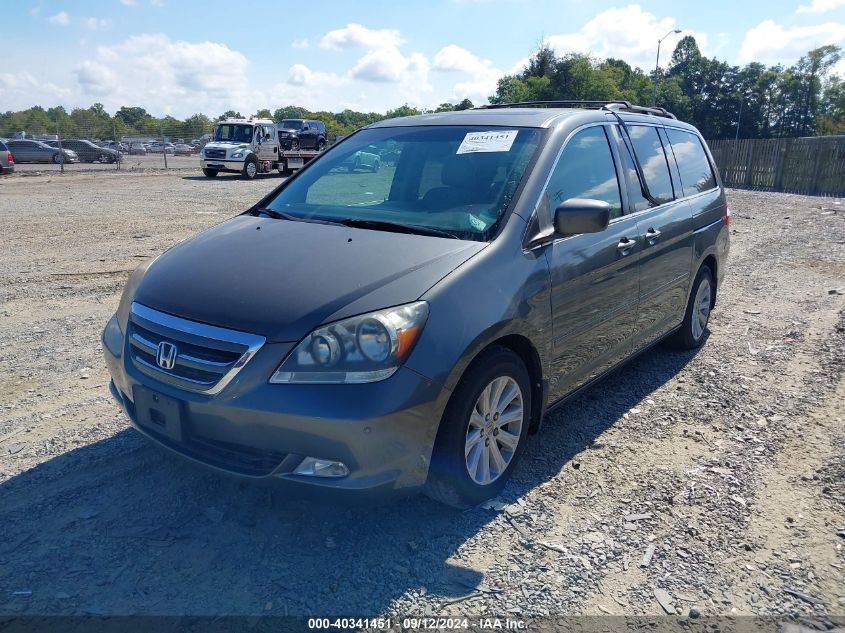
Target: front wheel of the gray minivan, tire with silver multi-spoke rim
x=450, y=480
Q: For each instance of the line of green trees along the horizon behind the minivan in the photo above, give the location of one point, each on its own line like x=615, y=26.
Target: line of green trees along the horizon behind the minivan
x=721, y=100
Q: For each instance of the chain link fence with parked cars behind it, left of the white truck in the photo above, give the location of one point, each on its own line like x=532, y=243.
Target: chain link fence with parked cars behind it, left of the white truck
x=107, y=145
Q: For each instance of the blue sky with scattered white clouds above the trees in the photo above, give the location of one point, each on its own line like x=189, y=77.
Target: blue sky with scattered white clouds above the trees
x=180, y=57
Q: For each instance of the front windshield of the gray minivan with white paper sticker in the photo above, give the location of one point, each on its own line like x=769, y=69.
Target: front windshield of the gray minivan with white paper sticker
x=457, y=179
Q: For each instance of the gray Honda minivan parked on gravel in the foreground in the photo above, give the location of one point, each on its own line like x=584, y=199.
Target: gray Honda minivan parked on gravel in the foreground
x=405, y=328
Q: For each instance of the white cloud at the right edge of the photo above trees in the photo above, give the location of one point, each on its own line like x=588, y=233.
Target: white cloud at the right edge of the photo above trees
x=771, y=43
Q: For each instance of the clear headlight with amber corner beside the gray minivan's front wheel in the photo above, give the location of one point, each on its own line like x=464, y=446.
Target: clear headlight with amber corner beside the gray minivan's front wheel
x=366, y=348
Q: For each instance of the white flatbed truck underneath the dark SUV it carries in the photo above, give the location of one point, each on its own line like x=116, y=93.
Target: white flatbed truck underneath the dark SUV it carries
x=249, y=147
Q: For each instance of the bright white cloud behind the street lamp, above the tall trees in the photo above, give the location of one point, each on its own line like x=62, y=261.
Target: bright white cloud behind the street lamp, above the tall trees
x=627, y=33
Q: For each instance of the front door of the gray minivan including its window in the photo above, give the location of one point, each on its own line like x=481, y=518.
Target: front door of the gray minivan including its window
x=594, y=276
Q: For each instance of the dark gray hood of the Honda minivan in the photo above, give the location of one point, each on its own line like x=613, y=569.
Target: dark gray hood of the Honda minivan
x=281, y=278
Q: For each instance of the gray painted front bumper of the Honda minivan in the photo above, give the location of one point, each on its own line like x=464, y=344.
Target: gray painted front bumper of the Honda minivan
x=384, y=432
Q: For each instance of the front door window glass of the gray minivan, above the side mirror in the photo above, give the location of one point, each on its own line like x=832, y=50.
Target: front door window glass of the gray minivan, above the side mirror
x=585, y=169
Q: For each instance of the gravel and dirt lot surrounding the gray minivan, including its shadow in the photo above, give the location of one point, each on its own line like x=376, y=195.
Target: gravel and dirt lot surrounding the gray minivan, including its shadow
x=710, y=481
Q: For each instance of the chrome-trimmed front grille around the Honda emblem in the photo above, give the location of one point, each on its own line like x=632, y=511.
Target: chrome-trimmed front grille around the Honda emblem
x=207, y=358
